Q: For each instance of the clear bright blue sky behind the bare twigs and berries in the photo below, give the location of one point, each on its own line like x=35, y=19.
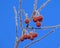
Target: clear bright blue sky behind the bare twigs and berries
x=51, y=14
